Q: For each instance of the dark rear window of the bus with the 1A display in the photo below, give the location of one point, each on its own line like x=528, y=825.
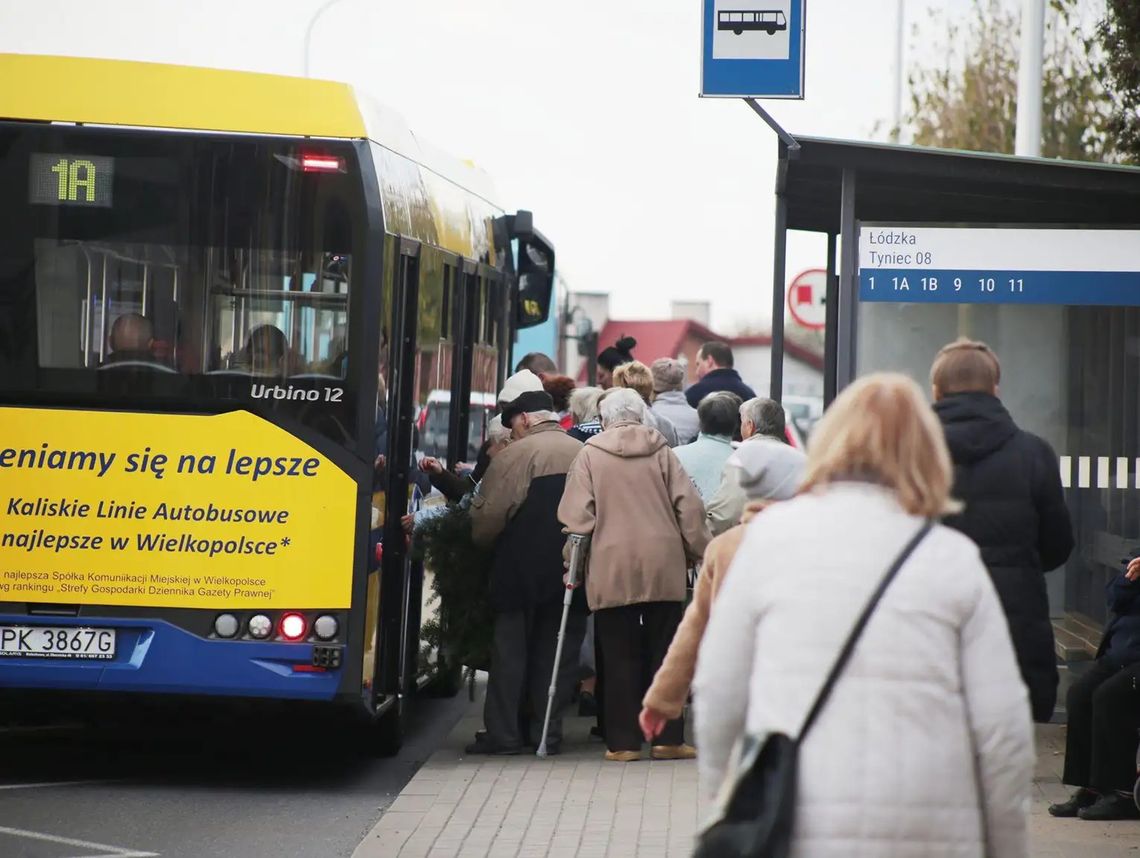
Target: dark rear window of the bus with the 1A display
x=173, y=258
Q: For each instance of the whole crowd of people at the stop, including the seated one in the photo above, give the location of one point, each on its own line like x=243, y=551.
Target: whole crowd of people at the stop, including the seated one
x=935, y=708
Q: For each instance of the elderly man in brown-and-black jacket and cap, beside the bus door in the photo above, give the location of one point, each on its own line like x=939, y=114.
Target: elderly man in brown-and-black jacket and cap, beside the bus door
x=516, y=511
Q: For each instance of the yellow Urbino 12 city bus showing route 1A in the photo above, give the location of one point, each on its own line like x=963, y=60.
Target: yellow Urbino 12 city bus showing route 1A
x=224, y=297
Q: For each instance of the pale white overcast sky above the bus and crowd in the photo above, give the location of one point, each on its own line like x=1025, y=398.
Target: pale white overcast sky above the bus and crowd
x=585, y=113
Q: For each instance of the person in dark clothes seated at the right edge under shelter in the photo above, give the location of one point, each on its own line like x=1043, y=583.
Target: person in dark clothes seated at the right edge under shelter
x=1104, y=715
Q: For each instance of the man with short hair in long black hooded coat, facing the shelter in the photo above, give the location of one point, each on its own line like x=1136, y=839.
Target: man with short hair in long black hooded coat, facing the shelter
x=1009, y=481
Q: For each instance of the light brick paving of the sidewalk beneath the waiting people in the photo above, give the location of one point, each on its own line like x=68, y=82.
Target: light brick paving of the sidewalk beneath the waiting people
x=579, y=806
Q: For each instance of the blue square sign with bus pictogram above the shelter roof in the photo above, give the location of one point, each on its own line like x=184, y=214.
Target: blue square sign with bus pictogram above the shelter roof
x=753, y=48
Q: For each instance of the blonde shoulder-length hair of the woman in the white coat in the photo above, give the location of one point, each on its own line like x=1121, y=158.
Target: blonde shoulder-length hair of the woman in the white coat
x=882, y=429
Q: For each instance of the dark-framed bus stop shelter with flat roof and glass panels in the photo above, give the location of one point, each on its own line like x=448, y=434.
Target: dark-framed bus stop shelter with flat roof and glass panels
x=1071, y=366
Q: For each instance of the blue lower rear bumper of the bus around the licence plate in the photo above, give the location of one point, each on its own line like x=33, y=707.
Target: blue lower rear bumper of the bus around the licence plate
x=156, y=657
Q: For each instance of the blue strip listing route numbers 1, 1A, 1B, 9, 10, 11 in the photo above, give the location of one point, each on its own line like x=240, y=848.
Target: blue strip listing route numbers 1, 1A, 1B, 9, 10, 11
x=1103, y=289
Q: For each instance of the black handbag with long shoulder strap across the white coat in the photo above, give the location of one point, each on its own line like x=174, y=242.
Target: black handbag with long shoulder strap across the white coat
x=759, y=810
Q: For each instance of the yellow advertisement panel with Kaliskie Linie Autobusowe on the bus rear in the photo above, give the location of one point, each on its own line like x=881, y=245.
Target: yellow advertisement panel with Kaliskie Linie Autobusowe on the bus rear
x=173, y=511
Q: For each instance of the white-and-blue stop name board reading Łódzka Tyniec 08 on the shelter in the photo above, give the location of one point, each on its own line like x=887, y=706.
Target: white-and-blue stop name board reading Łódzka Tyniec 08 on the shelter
x=999, y=266
